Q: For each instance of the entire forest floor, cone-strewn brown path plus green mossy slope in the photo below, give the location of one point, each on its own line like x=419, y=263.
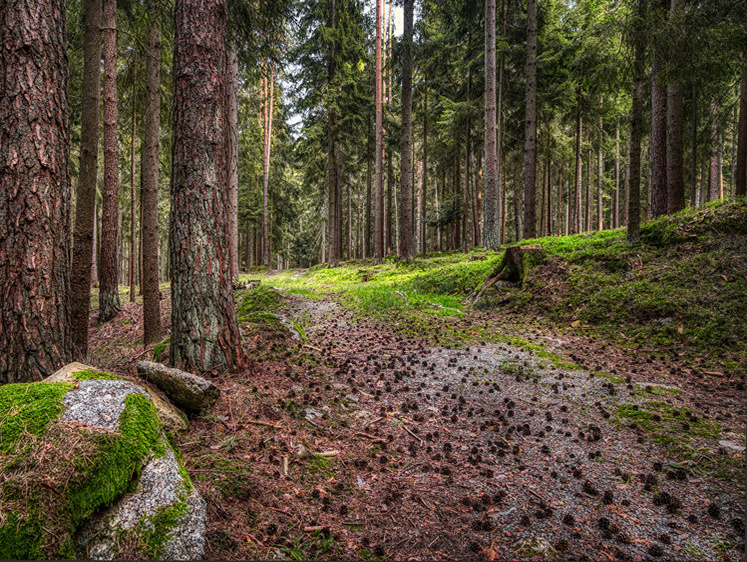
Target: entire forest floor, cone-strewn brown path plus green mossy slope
x=596, y=412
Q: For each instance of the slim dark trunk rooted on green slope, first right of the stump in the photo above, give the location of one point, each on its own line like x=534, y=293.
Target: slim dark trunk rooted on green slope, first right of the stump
x=636, y=124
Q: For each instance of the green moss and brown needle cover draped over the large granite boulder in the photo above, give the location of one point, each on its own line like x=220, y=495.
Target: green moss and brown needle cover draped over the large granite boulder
x=100, y=470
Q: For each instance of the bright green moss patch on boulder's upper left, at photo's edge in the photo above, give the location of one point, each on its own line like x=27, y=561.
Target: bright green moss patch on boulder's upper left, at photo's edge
x=28, y=408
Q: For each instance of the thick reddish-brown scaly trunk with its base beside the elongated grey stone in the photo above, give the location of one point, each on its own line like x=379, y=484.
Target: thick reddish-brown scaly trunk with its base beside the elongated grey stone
x=204, y=333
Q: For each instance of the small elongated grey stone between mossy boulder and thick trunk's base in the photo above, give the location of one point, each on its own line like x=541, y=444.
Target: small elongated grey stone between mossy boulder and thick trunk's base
x=186, y=390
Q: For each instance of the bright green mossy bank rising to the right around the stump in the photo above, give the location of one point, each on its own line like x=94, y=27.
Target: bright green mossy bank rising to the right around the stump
x=682, y=291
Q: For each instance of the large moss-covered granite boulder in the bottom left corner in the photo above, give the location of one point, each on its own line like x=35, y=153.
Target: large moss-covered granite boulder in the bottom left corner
x=87, y=472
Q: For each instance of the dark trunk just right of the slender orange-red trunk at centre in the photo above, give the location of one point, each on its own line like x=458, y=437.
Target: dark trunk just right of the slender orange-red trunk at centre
x=406, y=168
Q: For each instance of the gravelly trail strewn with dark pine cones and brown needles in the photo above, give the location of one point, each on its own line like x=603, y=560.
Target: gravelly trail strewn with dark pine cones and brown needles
x=489, y=445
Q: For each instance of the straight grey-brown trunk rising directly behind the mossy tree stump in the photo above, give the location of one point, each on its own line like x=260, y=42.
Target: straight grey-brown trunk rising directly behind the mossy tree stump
x=530, y=131
